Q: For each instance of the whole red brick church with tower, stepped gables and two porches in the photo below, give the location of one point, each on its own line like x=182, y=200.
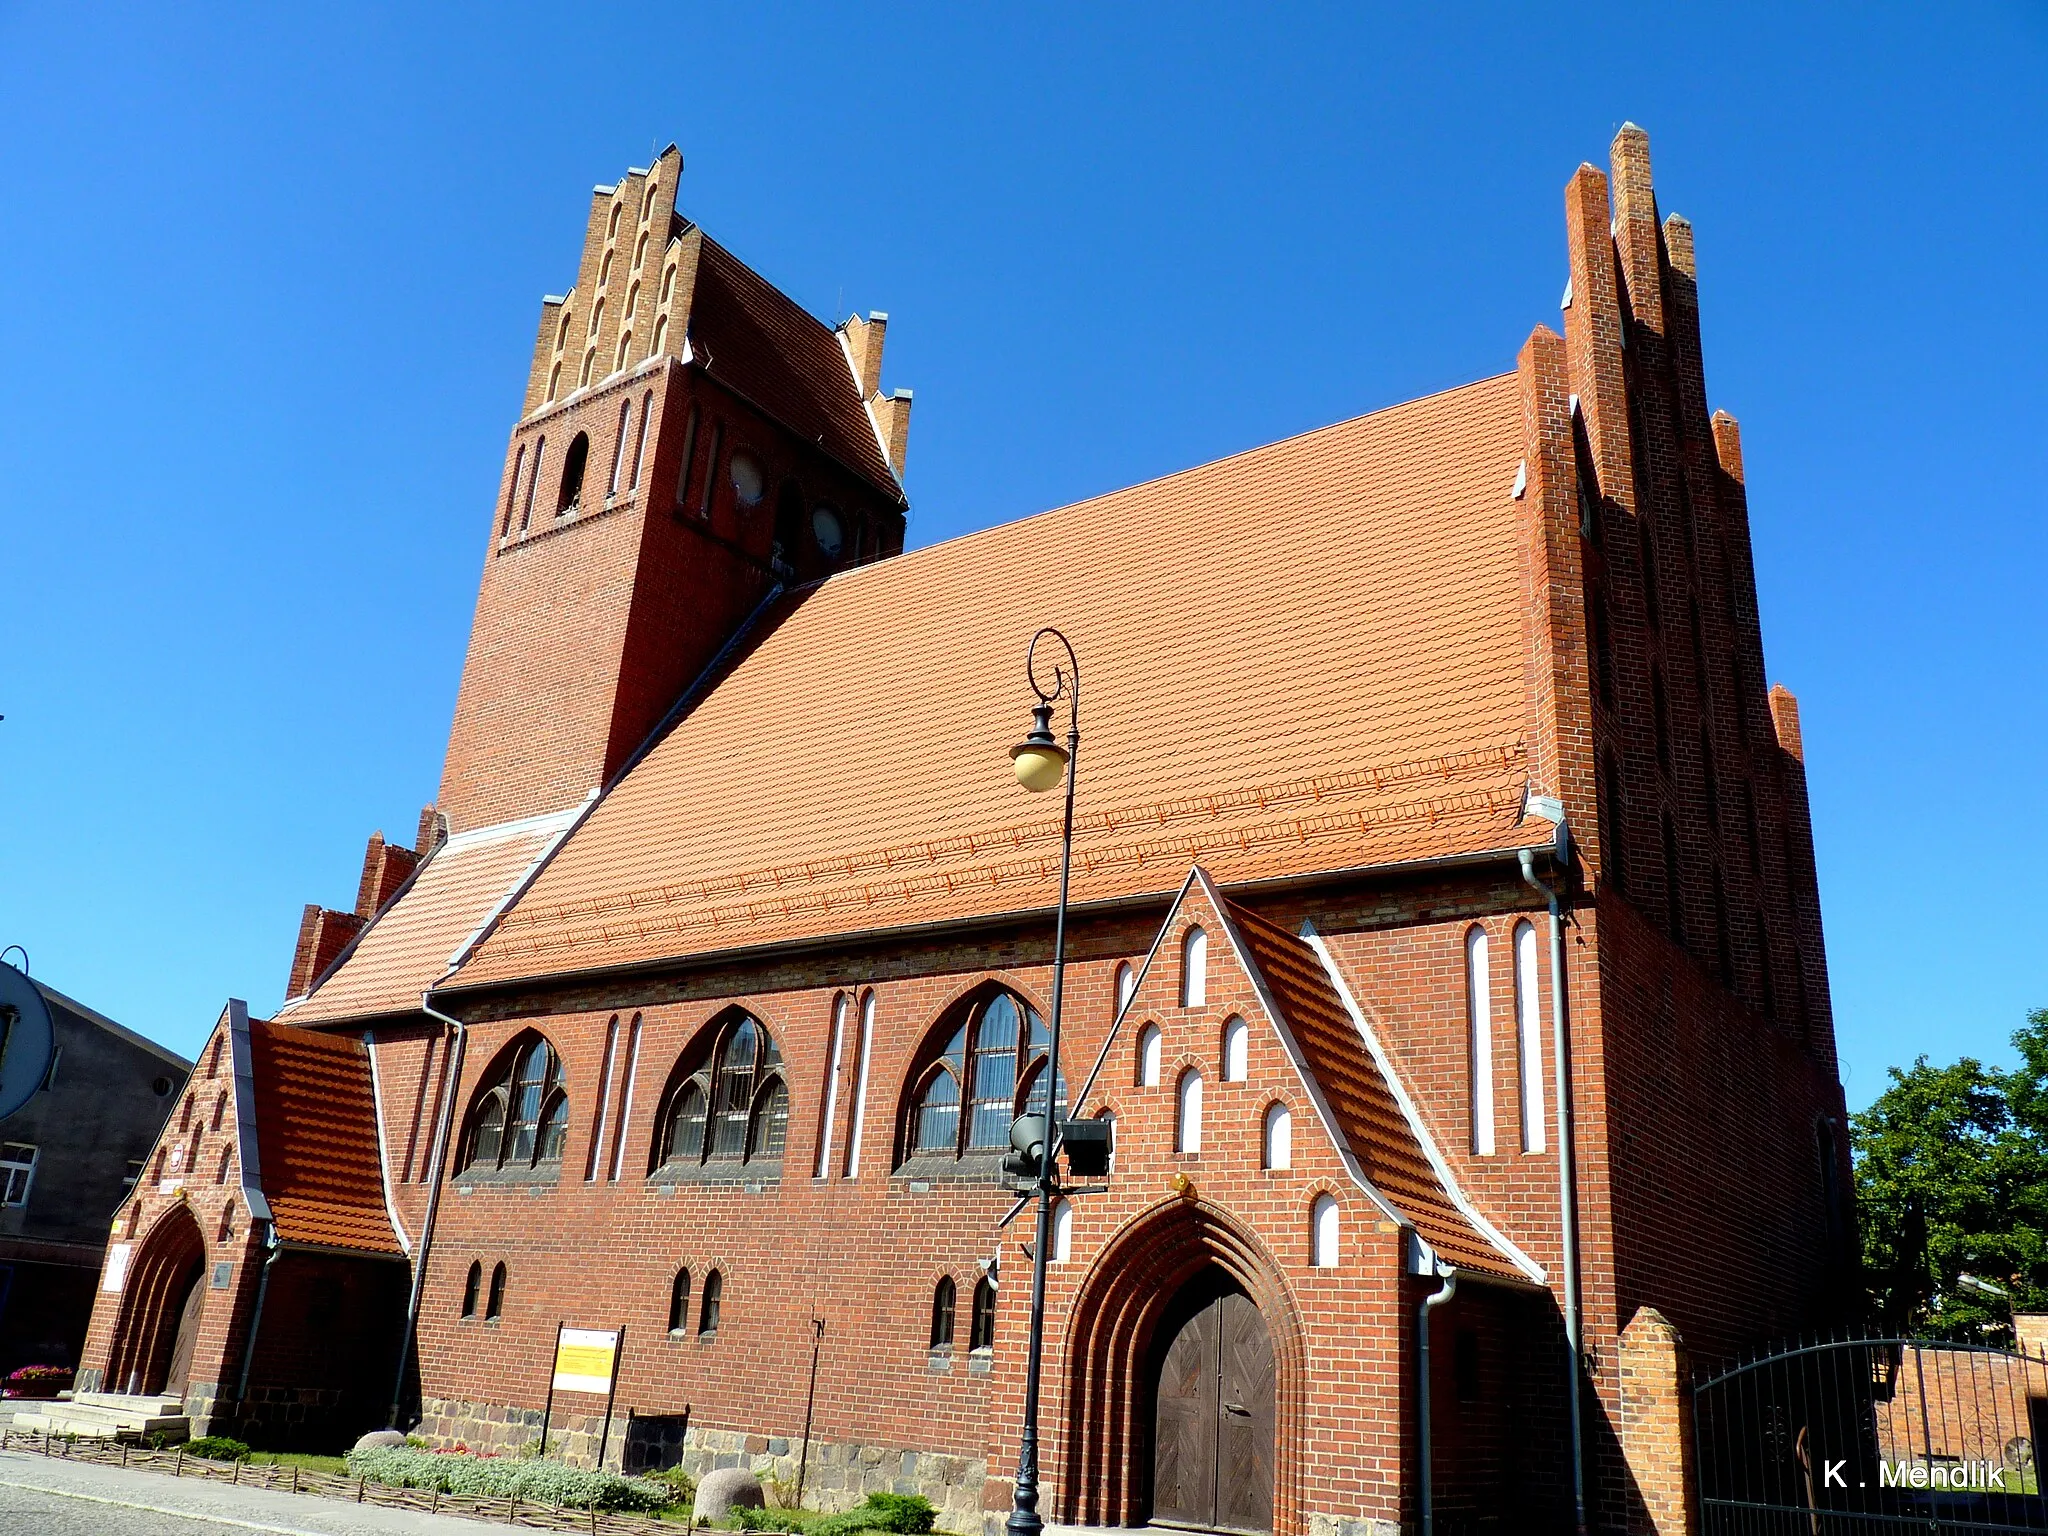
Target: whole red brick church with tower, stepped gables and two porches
x=1414, y=749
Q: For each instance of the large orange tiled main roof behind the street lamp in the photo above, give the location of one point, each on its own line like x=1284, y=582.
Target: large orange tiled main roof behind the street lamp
x=1302, y=658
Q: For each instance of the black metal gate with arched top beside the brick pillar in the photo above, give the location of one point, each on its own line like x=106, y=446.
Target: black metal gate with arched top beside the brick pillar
x=1871, y=1437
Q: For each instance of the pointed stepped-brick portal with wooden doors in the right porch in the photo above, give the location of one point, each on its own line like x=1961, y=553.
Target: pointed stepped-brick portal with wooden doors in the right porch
x=1187, y=1381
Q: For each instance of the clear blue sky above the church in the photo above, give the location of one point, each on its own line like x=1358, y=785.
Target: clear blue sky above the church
x=273, y=282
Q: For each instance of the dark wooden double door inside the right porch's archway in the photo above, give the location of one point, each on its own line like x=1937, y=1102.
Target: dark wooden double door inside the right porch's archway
x=1213, y=1426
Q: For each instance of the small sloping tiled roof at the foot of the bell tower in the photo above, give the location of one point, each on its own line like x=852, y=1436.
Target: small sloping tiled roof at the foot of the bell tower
x=413, y=941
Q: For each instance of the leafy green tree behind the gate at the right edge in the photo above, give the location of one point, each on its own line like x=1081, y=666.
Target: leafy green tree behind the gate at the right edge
x=1953, y=1179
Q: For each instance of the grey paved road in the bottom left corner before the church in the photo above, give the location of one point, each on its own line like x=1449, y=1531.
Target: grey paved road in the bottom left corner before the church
x=58, y=1498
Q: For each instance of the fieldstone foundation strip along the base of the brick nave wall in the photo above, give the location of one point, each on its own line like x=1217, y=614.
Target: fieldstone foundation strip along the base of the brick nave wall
x=839, y=1474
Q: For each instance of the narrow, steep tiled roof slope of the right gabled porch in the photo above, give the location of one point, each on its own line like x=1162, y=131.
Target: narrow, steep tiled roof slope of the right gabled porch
x=1359, y=1097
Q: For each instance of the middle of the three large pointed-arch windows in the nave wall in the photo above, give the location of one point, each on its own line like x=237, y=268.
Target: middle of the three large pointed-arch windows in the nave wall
x=730, y=1107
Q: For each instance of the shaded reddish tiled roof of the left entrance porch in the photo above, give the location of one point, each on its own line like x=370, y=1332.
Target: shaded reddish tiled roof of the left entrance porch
x=316, y=1138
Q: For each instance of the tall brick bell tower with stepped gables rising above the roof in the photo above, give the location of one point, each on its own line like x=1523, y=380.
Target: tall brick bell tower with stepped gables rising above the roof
x=691, y=441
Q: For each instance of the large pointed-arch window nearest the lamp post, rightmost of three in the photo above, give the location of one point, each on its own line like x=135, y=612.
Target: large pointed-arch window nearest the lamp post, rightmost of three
x=982, y=1080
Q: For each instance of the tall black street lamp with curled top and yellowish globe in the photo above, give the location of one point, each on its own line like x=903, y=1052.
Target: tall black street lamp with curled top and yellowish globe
x=1041, y=763
